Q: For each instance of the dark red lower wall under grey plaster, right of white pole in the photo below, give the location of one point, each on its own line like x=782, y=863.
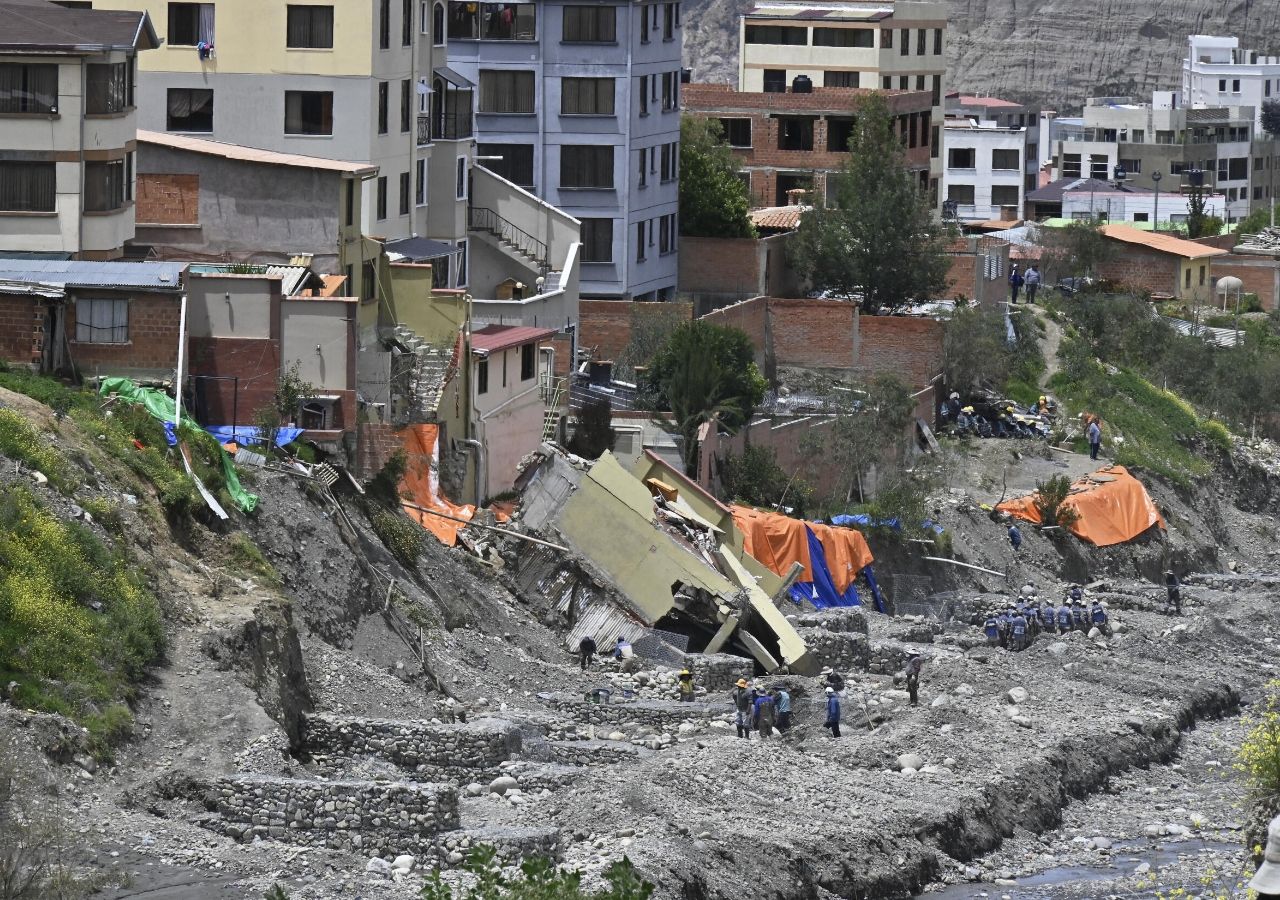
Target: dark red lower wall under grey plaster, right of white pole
x=255, y=362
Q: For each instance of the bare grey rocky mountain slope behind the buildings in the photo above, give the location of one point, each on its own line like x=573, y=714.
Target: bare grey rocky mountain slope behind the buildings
x=1048, y=52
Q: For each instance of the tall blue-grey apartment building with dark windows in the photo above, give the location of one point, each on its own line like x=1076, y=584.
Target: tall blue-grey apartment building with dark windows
x=580, y=106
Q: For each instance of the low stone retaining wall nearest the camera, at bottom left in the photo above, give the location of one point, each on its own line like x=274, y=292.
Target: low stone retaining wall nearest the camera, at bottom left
x=377, y=817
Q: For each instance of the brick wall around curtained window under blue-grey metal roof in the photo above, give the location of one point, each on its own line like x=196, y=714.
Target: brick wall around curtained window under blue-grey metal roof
x=153, y=345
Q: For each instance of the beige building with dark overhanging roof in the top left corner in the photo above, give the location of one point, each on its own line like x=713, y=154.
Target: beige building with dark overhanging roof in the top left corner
x=70, y=136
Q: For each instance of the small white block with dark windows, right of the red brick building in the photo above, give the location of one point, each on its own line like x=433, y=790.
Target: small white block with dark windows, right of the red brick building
x=985, y=170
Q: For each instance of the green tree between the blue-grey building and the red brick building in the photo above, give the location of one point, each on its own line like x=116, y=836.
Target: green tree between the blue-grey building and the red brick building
x=714, y=202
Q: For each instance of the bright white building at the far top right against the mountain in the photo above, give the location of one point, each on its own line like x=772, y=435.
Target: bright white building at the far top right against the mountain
x=1217, y=72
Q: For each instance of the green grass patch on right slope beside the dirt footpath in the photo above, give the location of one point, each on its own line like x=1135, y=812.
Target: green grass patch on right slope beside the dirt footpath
x=1159, y=428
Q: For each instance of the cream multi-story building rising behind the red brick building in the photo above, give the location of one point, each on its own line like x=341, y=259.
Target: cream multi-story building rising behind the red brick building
x=884, y=44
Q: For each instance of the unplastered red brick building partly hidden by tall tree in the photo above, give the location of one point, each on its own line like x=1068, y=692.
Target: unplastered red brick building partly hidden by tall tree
x=796, y=141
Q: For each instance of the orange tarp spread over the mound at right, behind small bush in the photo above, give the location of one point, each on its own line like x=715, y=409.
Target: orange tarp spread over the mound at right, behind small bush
x=1112, y=504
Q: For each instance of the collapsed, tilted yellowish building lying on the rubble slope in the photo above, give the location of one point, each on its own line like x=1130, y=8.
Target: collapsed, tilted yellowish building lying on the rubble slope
x=655, y=560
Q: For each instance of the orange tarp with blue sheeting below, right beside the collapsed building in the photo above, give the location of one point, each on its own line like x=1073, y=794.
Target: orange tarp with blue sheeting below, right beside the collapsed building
x=780, y=541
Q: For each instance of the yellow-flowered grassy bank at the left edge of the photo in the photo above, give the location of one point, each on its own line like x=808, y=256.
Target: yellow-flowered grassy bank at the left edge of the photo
x=77, y=625
